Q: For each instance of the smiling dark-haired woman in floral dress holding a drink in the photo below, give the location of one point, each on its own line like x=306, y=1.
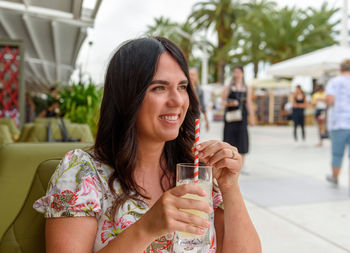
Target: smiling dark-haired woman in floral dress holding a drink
x=120, y=196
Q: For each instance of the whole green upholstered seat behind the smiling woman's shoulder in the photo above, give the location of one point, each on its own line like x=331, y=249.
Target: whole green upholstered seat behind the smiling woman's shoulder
x=23, y=179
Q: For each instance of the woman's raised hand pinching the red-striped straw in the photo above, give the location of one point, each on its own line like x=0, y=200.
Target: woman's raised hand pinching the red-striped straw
x=225, y=159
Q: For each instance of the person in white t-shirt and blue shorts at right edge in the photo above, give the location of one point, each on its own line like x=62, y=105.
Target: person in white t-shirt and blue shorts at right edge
x=338, y=101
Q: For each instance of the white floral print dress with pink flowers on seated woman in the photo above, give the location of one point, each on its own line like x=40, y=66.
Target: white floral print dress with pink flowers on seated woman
x=79, y=187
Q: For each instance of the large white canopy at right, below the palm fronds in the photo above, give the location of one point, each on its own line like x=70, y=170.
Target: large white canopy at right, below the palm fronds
x=314, y=64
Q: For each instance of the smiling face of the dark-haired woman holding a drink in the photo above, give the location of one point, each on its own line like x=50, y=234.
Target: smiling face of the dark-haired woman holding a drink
x=165, y=104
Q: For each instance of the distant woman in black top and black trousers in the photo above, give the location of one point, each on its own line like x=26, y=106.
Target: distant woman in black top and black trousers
x=299, y=105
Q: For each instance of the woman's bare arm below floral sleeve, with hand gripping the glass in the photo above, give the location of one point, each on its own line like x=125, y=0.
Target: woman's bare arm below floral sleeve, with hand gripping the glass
x=78, y=234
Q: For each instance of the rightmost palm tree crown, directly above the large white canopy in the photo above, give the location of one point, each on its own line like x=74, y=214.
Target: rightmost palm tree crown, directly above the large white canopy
x=290, y=32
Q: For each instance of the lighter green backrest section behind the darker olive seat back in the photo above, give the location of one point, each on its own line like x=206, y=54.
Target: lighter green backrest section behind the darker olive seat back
x=18, y=163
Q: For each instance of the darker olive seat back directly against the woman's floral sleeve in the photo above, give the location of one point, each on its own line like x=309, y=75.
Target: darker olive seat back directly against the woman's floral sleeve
x=27, y=231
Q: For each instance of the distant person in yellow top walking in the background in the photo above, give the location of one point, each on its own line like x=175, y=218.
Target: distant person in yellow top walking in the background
x=319, y=102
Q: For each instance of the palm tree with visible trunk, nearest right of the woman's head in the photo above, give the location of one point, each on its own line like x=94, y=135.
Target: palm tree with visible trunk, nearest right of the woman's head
x=222, y=16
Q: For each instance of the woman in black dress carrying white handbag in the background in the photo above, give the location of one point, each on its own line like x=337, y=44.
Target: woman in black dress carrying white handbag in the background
x=237, y=102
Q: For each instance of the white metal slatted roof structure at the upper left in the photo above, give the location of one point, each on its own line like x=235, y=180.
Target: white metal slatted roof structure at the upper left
x=53, y=32
